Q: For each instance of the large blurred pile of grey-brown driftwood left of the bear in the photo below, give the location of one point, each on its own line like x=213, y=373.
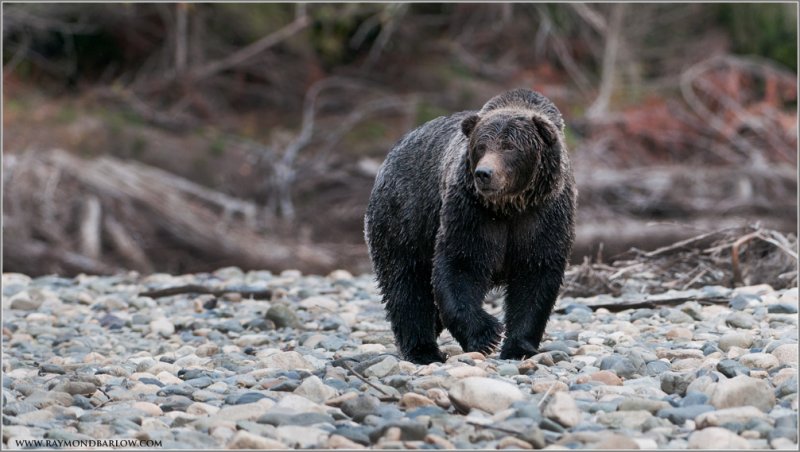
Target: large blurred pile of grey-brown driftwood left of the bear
x=65, y=214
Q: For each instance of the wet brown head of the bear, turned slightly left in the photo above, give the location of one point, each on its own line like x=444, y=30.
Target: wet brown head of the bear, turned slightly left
x=513, y=157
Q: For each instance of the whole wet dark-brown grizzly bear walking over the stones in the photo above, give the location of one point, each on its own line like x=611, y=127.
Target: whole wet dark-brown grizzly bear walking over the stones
x=463, y=204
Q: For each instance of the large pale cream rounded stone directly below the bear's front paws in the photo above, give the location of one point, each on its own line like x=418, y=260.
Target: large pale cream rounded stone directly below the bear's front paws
x=486, y=394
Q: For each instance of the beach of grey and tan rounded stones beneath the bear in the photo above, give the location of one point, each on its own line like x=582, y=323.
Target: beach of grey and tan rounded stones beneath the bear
x=312, y=364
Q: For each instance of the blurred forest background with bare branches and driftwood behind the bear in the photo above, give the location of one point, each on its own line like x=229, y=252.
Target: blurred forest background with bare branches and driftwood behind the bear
x=185, y=137
